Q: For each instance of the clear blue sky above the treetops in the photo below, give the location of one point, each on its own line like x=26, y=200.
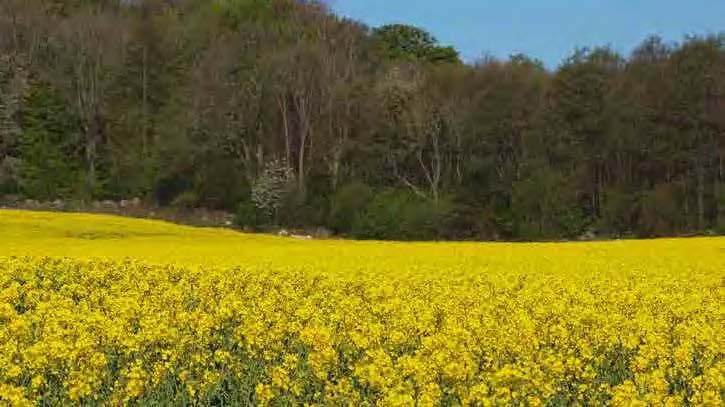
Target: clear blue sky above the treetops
x=545, y=29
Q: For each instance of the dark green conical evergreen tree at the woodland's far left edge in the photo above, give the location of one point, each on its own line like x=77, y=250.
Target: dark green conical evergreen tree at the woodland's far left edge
x=49, y=169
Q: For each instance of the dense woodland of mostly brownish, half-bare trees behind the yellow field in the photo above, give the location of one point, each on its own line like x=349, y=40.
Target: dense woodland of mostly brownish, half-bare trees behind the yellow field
x=288, y=115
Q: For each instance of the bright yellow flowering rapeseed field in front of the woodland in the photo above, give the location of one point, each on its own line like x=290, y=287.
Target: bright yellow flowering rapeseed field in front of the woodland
x=105, y=310
